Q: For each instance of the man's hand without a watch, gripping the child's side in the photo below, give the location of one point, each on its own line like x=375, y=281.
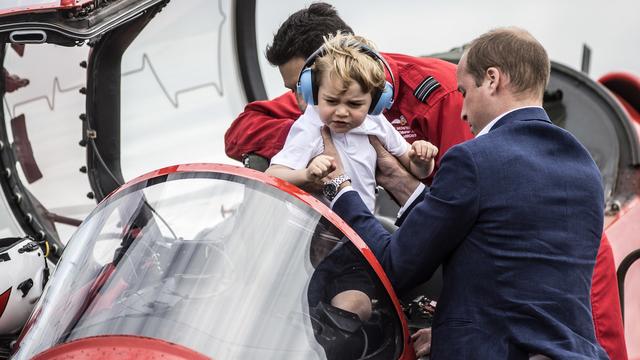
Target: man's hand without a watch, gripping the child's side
x=391, y=175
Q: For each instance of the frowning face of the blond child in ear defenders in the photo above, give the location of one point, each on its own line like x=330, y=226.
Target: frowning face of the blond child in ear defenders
x=342, y=110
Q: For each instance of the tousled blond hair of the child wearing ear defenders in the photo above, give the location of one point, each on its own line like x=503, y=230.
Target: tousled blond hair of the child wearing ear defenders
x=347, y=57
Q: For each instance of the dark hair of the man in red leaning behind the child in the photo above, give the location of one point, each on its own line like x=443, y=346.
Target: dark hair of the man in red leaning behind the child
x=302, y=33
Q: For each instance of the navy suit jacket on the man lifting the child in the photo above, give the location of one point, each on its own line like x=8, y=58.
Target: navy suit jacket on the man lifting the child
x=515, y=217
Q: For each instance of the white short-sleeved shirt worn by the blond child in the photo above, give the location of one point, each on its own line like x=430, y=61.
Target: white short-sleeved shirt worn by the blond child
x=358, y=156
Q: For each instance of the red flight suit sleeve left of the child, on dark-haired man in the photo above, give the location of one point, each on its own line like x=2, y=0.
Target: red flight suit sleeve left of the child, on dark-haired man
x=262, y=127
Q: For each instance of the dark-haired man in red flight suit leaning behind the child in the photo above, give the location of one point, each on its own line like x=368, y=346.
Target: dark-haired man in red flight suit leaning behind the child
x=426, y=103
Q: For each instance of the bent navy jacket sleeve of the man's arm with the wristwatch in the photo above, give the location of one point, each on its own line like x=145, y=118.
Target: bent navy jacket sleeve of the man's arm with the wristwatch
x=414, y=251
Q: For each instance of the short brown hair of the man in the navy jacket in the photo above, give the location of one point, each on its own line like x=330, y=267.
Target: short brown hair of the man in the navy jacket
x=516, y=53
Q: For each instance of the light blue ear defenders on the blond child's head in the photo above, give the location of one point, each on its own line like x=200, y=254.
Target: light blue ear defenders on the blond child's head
x=308, y=88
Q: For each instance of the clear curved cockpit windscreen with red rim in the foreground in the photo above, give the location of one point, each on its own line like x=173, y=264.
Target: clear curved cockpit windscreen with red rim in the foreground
x=223, y=264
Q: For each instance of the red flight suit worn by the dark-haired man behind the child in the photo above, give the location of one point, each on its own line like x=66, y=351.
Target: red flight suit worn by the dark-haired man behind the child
x=426, y=106
